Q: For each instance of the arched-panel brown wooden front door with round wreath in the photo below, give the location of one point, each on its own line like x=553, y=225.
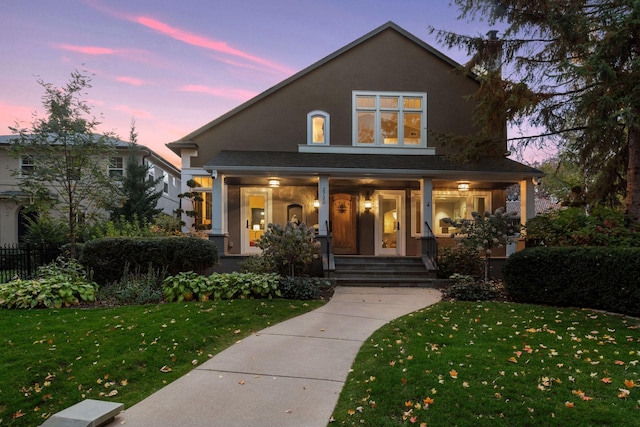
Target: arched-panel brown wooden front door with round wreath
x=343, y=224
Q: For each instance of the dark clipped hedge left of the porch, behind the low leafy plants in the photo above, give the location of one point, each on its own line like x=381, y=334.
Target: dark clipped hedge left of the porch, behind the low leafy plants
x=107, y=257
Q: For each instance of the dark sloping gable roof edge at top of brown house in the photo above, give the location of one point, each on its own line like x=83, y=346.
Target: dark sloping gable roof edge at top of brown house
x=185, y=141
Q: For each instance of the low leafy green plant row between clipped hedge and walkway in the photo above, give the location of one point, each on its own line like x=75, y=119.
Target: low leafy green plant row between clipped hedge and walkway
x=188, y=286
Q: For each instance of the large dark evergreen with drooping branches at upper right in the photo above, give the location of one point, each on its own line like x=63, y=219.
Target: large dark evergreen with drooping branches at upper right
x=571, y=76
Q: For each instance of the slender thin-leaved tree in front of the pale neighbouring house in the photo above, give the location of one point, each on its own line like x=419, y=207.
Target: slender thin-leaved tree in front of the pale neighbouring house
x=70, y=175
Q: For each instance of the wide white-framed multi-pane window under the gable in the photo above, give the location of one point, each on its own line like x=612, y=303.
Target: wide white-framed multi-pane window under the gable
x=389, y=119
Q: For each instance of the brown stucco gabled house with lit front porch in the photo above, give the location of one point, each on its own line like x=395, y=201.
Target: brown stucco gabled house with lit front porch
x=346, y=145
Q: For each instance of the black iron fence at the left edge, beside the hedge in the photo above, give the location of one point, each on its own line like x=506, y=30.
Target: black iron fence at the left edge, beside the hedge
x=21, y=260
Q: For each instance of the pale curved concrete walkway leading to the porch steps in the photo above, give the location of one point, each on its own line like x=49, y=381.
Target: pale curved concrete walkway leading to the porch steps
x=290, y=374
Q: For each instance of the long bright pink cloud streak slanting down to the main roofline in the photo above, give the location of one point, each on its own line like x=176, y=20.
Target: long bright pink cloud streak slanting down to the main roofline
x=206, y=43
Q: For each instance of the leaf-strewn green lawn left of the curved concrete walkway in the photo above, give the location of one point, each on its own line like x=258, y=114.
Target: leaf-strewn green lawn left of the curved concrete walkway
x=52, y=359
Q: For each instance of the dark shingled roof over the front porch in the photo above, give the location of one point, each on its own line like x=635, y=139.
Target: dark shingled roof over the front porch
x=264, y=163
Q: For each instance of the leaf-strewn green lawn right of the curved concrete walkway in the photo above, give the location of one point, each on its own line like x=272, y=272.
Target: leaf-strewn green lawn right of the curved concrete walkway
x=496, y=364
